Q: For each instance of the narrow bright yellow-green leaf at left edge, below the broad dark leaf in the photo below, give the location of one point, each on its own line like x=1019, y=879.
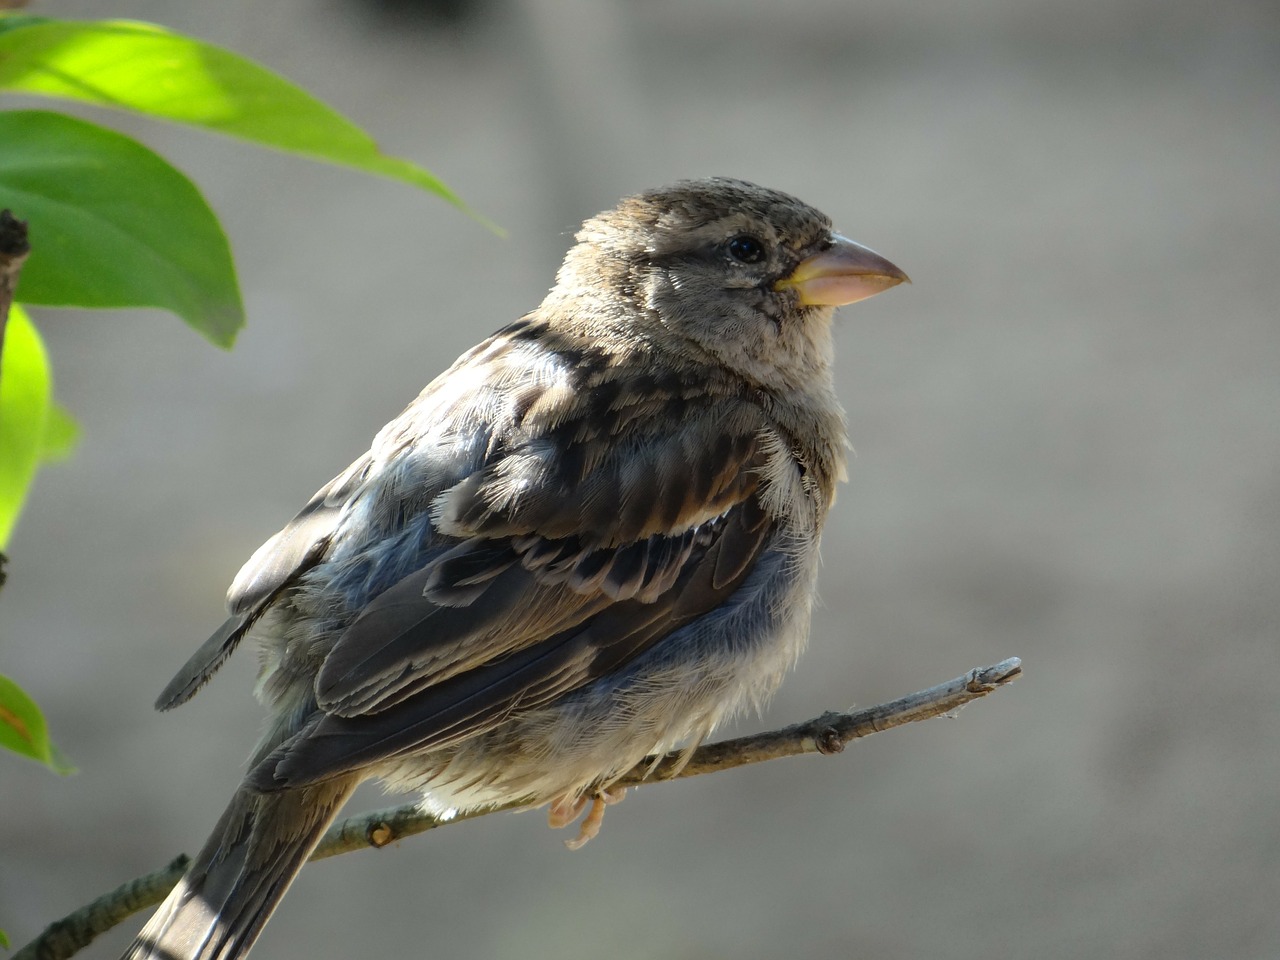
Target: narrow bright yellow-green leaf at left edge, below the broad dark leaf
x=25, y=392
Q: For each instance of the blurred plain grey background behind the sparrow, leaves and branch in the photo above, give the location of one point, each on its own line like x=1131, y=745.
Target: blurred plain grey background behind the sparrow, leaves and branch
x=1068, y=440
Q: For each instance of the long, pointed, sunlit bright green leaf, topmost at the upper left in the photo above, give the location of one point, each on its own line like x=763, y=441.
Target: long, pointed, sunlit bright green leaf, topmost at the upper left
x=152, y=71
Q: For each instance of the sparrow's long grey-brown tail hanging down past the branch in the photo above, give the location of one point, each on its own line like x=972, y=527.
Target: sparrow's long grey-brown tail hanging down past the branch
x=235, y=884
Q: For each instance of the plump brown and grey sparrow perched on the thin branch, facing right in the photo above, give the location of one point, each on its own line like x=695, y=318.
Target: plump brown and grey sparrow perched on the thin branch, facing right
x=591, y=541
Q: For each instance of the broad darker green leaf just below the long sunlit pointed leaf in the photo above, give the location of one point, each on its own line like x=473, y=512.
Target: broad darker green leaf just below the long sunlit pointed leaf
x=113, y=225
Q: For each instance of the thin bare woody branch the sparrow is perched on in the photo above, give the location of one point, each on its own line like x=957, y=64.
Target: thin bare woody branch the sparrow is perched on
x=828, y=734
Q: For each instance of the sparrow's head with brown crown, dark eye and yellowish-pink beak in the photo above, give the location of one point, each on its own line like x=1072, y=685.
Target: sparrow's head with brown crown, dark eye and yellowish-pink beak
x=724, y=268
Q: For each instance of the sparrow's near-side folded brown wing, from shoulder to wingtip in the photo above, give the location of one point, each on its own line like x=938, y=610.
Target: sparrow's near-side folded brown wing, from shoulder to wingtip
x=595, y=529
